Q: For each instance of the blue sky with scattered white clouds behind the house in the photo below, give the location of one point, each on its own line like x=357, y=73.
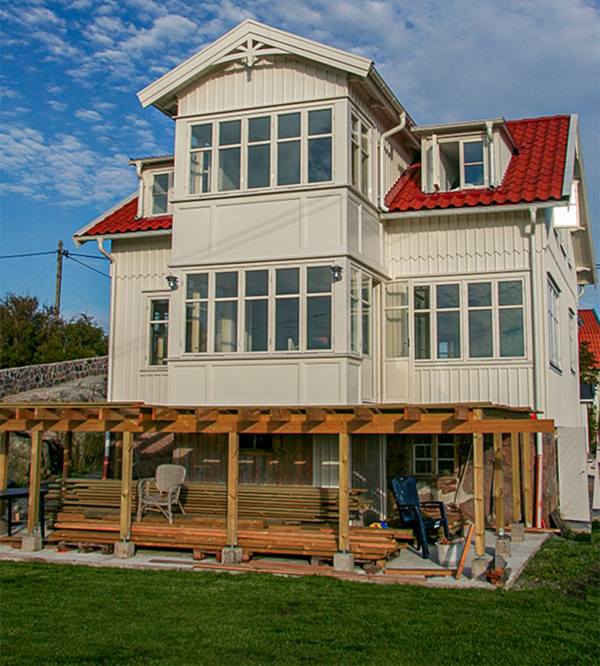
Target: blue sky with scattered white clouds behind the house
x=70, y=118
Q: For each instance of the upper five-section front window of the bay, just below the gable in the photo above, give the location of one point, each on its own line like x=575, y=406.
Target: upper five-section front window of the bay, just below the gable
x=272, y=150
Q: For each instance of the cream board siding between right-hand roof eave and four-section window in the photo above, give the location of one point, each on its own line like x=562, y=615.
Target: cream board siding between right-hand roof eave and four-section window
x=454, y=244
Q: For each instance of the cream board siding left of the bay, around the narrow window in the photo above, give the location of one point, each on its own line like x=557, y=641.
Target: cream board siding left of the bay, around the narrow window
x=140, y=269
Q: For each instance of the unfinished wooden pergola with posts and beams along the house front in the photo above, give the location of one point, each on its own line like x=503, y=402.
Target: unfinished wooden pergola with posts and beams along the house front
x=127, y=419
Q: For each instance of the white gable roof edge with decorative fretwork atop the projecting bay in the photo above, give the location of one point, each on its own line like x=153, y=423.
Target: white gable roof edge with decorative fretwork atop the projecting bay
x=248, y=41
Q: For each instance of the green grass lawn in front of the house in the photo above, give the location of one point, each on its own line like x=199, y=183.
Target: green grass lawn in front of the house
x=62, y=614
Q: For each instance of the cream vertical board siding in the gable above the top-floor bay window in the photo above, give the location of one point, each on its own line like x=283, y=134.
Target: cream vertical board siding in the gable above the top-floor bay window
x=278, y=80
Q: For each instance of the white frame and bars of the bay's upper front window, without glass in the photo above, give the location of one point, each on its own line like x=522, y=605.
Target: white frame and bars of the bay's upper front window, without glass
x=213, y=150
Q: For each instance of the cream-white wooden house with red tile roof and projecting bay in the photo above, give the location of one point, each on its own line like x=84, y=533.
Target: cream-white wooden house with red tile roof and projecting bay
x=308, y=245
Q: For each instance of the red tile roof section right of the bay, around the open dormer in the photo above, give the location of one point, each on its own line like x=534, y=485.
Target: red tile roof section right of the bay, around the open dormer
x=534, y=174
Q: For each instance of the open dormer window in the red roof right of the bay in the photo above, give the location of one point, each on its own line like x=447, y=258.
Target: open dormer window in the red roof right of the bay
x=462, y=164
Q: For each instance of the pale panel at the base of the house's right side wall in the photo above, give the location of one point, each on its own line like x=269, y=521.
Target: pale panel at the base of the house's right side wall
x=572, y=474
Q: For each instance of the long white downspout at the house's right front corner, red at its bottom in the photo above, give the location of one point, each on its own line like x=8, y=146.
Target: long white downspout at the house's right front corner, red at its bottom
x=537, y=360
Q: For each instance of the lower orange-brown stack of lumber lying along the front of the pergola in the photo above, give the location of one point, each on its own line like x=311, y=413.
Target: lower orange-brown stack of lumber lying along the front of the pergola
x=253, y=536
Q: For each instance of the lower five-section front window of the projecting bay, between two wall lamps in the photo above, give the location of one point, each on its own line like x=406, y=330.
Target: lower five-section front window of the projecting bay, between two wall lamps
x=265, y=310
